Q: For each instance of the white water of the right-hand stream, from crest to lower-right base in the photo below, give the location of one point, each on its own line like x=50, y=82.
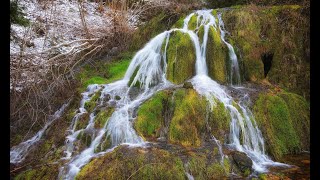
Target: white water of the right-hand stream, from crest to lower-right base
x=253, y=144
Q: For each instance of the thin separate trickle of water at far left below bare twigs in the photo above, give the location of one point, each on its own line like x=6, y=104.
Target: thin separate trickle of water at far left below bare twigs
x=18, y=153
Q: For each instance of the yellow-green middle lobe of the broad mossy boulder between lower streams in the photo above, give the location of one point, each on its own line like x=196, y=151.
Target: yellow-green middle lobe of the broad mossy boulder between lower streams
x=188, y=120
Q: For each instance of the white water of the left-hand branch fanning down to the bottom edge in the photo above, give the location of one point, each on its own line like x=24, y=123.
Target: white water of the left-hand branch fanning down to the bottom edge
x=151, y=76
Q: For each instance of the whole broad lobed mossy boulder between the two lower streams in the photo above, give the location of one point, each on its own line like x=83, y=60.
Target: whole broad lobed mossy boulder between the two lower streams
x=180, y=116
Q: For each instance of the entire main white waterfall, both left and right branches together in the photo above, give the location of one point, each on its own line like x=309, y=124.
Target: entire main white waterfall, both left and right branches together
x=149, y=67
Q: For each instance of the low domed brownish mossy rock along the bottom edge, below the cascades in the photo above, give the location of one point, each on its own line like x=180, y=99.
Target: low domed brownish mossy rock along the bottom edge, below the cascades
x=134, y=163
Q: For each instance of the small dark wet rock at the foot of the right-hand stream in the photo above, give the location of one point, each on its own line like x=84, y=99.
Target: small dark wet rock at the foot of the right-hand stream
x=242, y=161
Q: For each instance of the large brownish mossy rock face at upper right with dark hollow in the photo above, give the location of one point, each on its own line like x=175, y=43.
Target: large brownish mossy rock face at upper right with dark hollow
x=280, y=32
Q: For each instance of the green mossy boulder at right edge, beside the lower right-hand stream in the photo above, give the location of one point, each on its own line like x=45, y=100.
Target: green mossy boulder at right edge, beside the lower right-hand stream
x=284, y=119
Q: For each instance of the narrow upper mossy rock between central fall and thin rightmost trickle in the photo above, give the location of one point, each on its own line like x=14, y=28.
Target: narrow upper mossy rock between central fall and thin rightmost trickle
x=217, y=55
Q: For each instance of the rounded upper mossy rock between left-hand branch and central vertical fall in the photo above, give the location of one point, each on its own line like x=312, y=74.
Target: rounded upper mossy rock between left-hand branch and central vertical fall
x=181, y=57
